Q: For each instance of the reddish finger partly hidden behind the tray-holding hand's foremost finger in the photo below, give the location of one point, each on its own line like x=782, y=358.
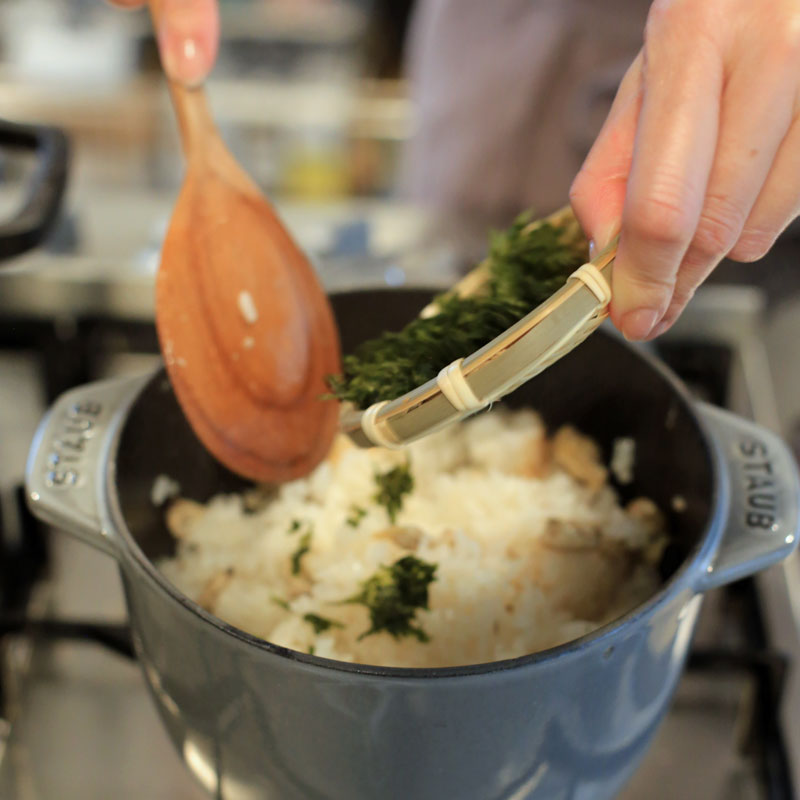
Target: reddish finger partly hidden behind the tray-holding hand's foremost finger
x=598, y=191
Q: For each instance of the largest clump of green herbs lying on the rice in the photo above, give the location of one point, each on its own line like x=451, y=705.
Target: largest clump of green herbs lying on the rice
x=394, y=594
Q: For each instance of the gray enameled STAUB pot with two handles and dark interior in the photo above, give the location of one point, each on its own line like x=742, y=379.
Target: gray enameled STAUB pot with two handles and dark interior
x=253, y=720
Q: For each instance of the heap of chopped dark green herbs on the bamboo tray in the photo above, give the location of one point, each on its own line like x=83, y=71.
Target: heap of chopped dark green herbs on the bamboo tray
x=526, y=265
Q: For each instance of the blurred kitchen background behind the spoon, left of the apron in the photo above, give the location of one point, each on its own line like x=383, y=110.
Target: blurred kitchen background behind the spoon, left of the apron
x=308, y=95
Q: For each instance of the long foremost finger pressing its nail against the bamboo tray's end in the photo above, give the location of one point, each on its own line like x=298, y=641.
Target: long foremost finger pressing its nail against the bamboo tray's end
x=673, y=154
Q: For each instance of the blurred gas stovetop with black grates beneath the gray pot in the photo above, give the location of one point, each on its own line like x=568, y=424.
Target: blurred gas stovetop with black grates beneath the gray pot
x=76, y=721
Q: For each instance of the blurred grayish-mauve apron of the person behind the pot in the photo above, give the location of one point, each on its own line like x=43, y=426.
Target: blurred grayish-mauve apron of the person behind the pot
x=508, y=97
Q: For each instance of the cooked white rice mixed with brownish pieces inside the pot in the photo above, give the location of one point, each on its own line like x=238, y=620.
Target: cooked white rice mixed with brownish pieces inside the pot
x=532, y=546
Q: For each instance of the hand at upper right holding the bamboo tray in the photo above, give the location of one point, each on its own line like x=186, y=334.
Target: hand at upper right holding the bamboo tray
x=699, y=158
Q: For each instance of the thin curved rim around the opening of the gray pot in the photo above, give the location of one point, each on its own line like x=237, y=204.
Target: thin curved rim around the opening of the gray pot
x=696, y=561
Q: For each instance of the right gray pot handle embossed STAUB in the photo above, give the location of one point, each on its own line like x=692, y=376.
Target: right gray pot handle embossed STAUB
x=760, y=478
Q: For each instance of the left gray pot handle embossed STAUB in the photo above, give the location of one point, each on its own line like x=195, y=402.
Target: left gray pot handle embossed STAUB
x=67, y=461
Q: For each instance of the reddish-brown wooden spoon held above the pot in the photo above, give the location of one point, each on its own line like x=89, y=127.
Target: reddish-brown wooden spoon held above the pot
x=247, y=333
